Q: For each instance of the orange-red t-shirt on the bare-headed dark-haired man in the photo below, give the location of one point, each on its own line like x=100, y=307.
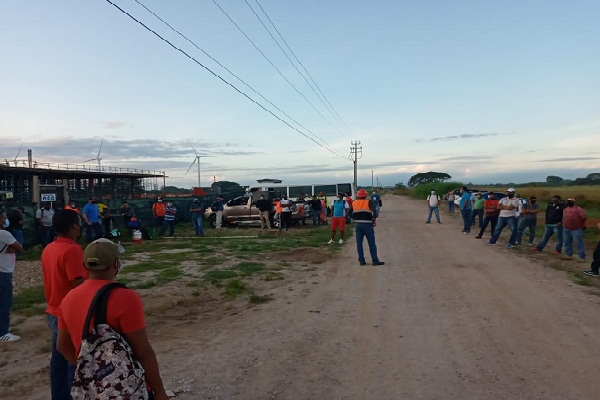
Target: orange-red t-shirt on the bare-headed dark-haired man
x=62, y=263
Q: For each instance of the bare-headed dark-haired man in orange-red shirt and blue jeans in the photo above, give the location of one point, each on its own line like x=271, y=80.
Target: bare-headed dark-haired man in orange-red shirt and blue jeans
x=62, y=265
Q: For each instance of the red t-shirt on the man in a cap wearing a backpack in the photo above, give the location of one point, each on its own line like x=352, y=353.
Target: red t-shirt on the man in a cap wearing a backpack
x=124, y=310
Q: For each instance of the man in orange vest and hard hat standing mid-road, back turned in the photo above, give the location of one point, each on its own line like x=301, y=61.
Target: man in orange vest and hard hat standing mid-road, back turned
x=365, y=220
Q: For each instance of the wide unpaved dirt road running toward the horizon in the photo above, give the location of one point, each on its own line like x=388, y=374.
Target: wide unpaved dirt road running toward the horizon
x=446, y=317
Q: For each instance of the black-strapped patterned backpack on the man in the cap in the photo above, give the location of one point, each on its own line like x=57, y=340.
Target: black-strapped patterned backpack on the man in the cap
x=106, y=368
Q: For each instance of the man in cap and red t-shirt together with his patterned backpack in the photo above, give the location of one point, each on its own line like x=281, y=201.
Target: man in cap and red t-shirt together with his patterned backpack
x=124, y=315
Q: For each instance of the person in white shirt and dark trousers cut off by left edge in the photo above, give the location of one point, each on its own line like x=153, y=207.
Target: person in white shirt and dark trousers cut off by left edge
x=9, y=246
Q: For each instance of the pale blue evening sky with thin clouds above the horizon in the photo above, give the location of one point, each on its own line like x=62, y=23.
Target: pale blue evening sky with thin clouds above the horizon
x=487, y=92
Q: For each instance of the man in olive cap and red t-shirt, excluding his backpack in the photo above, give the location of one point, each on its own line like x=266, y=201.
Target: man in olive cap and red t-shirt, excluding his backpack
x=124, y=312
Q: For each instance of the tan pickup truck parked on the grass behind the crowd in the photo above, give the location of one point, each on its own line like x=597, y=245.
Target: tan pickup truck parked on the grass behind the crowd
x=242, y=211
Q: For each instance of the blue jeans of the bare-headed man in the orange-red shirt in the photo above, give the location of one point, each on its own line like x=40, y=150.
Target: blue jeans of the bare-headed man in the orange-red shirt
x=61, y=371
